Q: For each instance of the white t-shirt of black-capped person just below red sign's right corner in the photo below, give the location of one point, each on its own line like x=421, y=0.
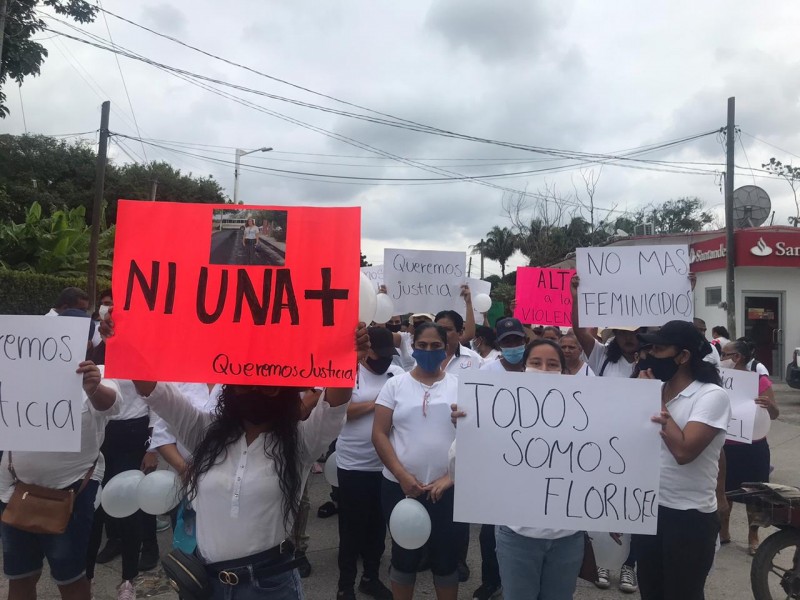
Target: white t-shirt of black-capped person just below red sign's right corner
x=354, y=449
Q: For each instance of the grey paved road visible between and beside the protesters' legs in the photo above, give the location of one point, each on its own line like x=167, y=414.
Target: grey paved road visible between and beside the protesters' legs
x=729, y=580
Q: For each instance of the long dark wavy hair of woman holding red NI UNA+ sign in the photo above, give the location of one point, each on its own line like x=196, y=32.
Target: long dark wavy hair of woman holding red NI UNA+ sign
x=281, y=443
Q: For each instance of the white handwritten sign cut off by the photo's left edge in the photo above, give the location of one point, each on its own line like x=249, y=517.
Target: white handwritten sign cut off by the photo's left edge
x=41, y=395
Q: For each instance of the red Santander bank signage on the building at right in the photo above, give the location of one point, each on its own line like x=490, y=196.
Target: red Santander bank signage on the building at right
x=754, y=248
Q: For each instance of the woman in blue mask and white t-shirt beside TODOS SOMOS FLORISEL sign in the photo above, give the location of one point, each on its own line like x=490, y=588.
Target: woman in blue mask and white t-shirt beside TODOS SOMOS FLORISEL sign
x=412, y=434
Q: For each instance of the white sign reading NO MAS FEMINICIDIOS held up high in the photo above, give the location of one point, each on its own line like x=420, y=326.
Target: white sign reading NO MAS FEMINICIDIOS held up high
x=633, y=285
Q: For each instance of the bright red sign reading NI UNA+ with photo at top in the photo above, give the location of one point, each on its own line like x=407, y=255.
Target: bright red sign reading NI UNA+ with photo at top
x=253, y=295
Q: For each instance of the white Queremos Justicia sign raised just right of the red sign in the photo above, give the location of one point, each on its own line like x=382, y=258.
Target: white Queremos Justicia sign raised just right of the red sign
x=424, y=280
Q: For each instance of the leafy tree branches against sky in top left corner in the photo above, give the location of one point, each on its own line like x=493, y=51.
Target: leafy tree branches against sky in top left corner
x=21, y=55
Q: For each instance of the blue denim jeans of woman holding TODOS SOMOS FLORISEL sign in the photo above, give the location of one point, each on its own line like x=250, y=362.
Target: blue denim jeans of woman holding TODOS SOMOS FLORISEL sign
x=538, y=569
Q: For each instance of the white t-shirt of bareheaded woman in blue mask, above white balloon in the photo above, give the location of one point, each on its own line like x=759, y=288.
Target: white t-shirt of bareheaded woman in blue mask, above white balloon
x=421, y=441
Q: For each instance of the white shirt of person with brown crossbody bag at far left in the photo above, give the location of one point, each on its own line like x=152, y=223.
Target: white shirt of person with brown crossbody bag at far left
x=59, y=470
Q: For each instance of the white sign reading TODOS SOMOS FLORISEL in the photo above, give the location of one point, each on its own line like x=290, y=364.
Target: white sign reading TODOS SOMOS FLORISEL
x=558, y=452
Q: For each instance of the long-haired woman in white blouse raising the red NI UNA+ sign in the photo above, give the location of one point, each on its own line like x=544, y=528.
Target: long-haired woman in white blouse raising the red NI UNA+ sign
x=249, y=462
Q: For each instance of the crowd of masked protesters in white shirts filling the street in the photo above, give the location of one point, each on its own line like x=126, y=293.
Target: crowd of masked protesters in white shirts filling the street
x=243, y=454
